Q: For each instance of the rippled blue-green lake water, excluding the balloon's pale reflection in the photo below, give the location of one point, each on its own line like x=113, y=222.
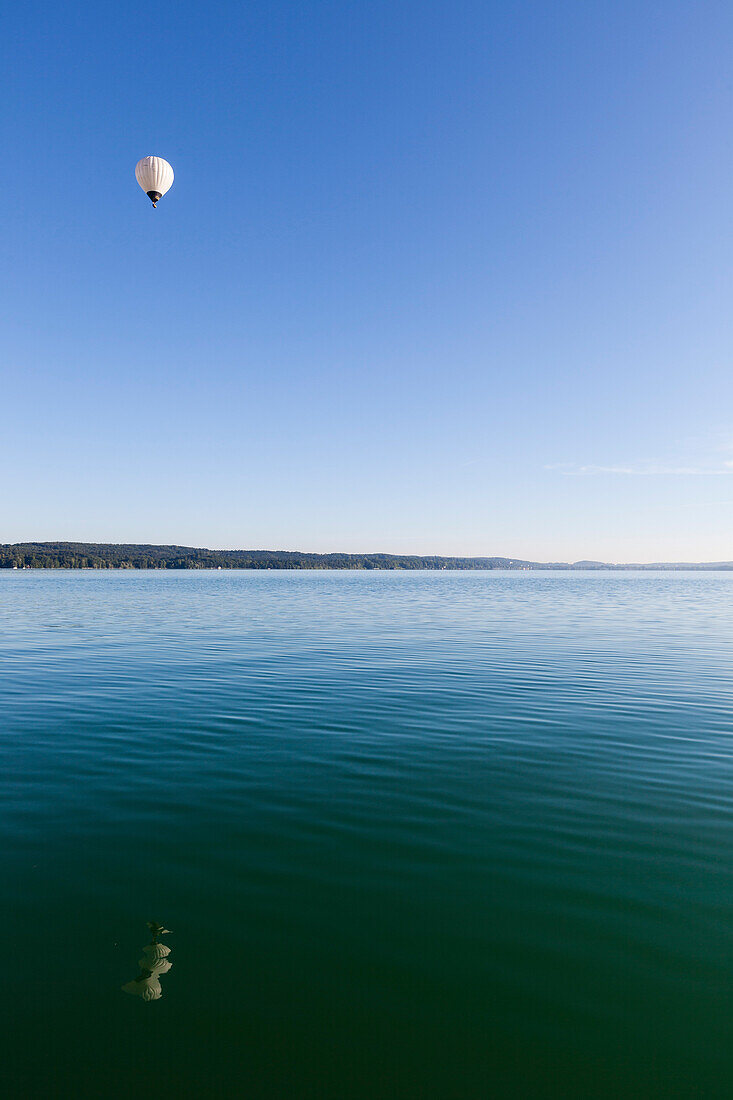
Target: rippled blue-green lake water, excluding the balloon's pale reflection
x=452, y=835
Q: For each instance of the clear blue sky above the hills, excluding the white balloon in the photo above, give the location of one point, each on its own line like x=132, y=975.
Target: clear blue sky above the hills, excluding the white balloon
x=433, y=277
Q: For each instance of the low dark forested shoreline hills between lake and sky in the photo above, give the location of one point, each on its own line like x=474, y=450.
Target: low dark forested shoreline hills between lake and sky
x=132, y=556
